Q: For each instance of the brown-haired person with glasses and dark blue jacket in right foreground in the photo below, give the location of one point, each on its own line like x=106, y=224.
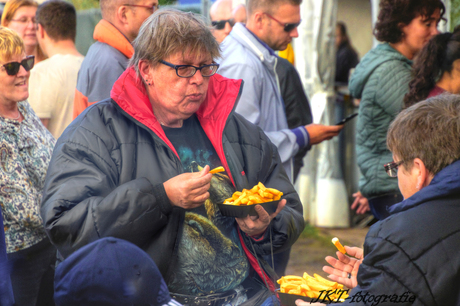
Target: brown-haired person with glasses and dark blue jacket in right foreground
x=412, y=256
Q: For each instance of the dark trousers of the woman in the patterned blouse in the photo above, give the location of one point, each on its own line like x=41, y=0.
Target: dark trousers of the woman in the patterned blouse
x=32, y=274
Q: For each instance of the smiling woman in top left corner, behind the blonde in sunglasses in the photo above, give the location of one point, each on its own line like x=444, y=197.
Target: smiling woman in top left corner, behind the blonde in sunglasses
x=19, y=15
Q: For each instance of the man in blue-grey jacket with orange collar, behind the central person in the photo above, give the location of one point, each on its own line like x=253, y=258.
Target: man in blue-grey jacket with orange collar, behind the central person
x=108, y=57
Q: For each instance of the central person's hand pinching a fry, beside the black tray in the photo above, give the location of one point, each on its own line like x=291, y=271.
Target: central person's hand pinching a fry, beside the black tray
x=189, y=190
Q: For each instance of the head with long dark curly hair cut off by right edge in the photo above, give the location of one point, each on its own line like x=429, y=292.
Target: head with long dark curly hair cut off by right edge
x=436, y=69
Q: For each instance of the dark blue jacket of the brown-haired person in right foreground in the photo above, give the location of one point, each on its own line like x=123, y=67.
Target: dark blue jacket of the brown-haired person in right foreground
x=416, y=249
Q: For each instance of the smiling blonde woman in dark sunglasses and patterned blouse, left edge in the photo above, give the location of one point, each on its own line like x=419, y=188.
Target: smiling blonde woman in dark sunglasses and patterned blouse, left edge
x=25, y=148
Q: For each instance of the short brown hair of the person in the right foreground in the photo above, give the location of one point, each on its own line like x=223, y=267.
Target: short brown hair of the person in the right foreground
x=428, y=130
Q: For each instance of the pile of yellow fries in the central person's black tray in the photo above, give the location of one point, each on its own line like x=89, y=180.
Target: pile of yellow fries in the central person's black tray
x=256, y=195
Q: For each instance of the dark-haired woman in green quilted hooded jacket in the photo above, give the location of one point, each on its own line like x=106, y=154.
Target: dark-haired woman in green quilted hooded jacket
x=380, y=81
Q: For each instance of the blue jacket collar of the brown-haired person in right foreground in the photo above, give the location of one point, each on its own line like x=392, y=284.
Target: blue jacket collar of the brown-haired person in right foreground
x=445, y=183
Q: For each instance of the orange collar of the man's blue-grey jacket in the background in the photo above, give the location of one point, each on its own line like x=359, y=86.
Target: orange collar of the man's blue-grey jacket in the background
x=105, y=32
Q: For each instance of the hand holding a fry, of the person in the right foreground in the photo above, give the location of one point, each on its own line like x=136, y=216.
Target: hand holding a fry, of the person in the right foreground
x=345, y=265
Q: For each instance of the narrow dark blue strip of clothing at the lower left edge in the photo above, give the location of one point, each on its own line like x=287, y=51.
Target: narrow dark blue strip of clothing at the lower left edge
x=6, y=291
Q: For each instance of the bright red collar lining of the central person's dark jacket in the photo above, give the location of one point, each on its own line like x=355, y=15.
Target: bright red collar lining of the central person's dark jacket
x=130, y=95
